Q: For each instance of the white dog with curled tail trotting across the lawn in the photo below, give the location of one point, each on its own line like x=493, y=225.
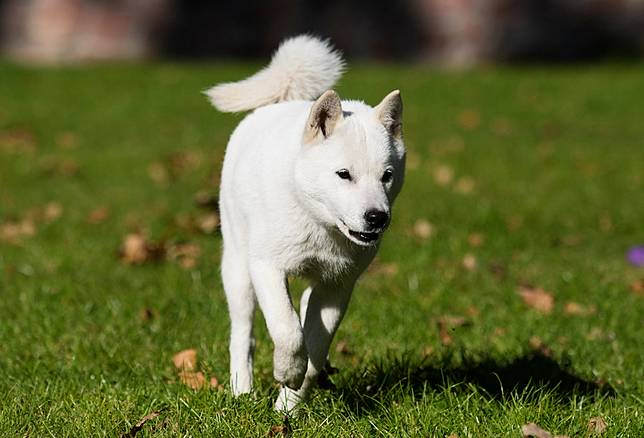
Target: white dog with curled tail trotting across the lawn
x=306, y=189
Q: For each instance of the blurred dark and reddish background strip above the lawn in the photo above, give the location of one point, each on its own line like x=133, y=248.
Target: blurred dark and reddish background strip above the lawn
x=445, y=32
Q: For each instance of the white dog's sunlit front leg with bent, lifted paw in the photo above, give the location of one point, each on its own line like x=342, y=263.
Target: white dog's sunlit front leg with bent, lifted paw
x=289, y=356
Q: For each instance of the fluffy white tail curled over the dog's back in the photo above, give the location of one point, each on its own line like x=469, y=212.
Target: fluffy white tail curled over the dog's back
x=302, y=68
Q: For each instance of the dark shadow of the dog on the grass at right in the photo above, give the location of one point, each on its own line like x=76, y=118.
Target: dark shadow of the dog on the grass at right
x=529, y=376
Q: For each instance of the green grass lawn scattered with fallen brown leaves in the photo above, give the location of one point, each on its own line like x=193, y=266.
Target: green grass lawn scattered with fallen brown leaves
x=519, y=180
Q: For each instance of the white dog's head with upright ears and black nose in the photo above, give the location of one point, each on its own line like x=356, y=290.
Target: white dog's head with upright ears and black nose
x=351, y=165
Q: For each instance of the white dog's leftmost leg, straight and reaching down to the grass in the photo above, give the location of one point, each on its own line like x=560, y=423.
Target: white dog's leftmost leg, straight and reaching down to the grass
x=241, y=307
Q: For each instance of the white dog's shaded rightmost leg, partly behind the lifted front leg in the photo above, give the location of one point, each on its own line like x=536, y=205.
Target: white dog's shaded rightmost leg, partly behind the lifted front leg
x=325, y=305
